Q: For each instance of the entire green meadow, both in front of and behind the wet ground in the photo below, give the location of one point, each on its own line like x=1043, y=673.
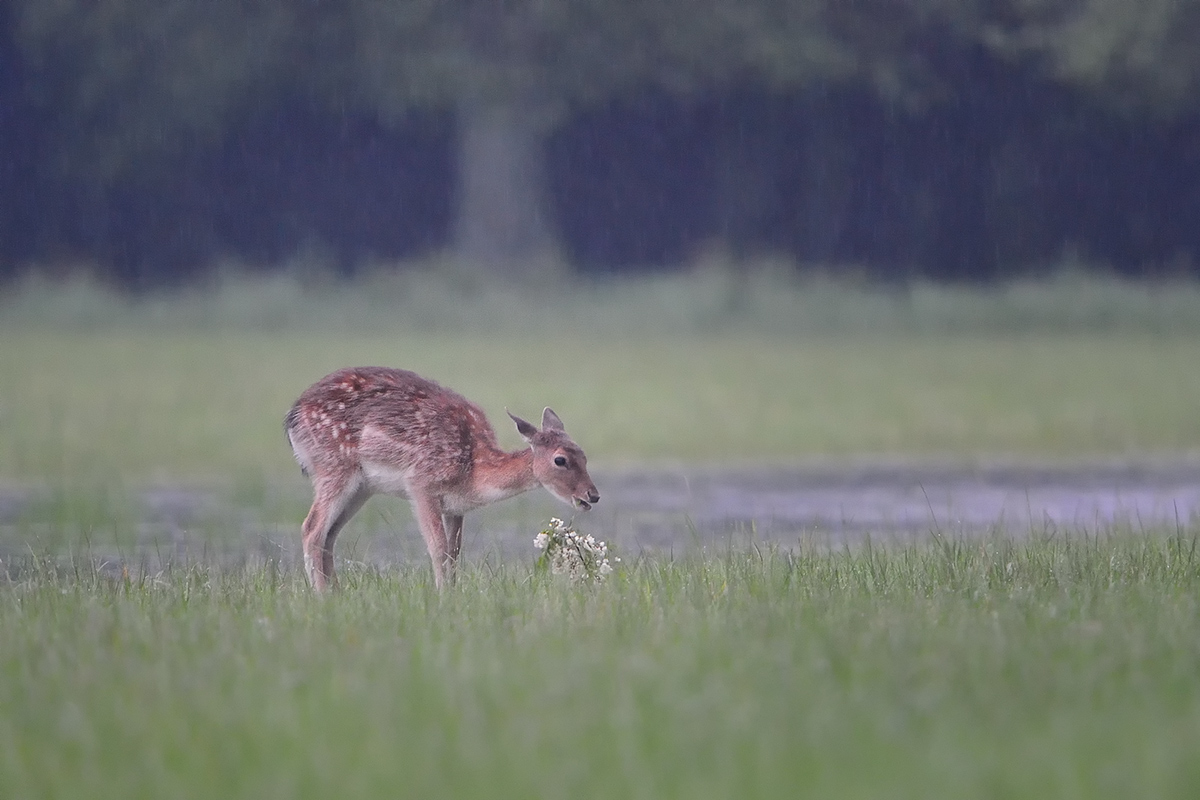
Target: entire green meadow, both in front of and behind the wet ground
x=1060, y=664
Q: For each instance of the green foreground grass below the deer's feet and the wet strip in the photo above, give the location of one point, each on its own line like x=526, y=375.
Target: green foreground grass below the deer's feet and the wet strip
x=1064, y=667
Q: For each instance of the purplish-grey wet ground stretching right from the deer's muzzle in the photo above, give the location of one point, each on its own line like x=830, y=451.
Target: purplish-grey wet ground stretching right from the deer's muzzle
x=849, y=503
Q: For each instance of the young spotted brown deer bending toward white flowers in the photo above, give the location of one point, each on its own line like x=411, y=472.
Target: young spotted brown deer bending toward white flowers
x=365, y=431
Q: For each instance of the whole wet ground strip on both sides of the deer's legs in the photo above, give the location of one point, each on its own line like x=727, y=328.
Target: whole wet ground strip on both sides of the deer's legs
x=646, y=510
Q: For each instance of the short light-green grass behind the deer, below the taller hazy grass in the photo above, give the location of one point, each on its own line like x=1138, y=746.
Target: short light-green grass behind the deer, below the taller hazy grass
x=140, y=400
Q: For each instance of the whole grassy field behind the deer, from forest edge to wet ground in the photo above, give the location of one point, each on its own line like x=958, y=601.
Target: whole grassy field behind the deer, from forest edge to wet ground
x=196, y=388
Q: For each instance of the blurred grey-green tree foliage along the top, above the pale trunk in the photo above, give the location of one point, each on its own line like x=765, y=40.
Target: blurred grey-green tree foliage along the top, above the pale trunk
x=133, y=77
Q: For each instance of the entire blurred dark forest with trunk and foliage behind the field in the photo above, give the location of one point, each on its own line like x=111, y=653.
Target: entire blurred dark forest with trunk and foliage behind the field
x=151, y=141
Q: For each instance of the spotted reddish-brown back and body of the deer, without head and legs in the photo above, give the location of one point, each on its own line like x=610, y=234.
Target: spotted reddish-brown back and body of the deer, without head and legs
x=393, y=420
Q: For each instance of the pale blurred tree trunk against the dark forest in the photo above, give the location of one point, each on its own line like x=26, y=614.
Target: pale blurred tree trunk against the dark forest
x=503, y=213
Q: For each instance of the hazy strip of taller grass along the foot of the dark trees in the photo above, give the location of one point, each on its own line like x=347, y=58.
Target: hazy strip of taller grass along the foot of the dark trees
x=715, y=298
